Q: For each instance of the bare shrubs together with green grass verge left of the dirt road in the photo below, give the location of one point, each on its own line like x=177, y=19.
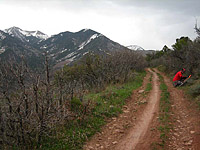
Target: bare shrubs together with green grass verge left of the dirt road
x=49, y=109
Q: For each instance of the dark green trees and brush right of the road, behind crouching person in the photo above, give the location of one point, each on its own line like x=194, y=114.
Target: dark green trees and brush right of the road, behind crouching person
x=185, y=53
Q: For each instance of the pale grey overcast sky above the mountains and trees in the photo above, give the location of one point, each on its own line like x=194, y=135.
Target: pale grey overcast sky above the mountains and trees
x=150, y=24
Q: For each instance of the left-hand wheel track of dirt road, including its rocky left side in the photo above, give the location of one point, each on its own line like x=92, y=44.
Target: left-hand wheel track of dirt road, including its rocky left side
x=130, y=128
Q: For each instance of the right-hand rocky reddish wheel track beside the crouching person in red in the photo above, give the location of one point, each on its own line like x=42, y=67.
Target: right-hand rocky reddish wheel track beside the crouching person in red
x=186, y=121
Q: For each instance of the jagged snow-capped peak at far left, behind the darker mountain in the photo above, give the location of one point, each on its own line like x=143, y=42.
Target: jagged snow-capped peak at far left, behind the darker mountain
x=26, y=36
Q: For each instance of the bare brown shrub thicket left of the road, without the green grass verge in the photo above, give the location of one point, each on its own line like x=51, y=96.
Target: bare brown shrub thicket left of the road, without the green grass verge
x=33, y=104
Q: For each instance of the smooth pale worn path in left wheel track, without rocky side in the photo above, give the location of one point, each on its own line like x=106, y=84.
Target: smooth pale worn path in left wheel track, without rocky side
x=137, y=133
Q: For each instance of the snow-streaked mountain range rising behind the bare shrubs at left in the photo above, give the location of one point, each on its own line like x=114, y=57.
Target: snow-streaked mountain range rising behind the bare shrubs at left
x=63, y=48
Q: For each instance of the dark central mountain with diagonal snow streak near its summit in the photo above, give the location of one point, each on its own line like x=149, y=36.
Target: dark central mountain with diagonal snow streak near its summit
x=69, y=46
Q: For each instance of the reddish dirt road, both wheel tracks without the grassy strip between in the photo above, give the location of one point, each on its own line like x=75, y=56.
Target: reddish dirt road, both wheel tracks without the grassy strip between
x=136, y=127
